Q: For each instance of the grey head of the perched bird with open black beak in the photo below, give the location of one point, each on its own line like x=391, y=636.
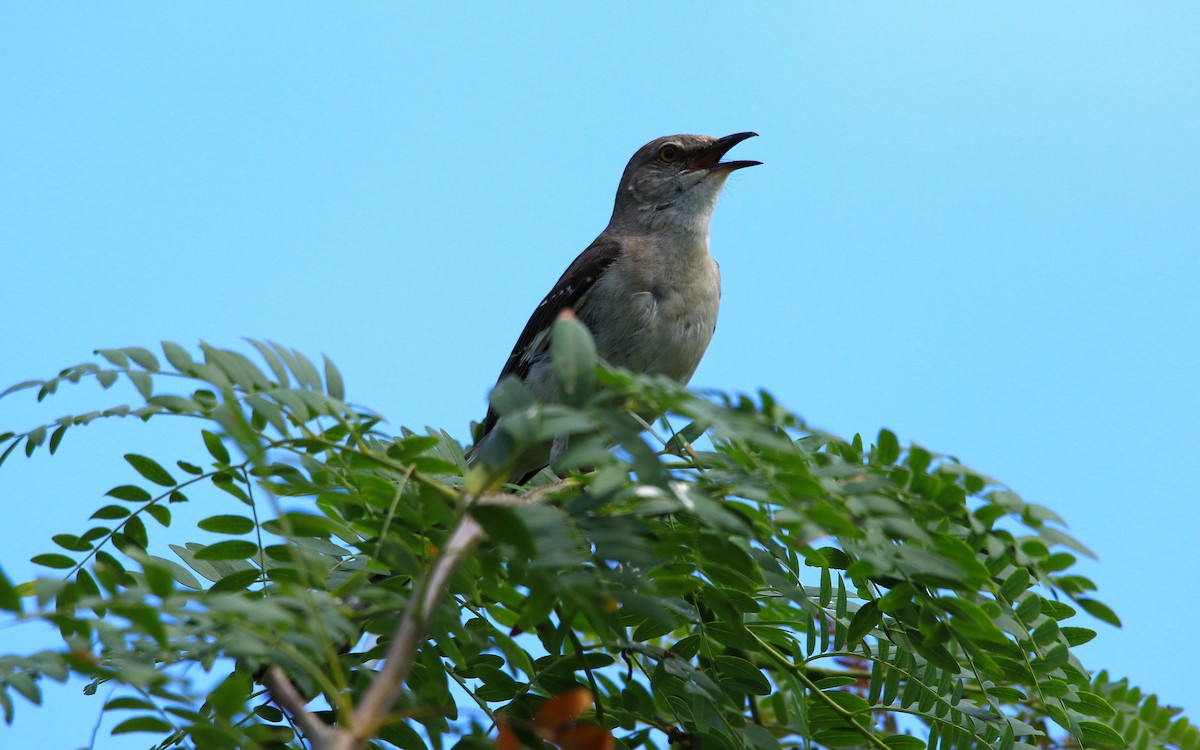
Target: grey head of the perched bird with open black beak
x=676, y=181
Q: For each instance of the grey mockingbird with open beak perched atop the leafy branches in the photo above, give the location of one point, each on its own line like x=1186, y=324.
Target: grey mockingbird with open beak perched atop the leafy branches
x=646, y=289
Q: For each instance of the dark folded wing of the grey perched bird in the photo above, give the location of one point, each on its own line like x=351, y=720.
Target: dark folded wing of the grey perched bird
x=571, y=290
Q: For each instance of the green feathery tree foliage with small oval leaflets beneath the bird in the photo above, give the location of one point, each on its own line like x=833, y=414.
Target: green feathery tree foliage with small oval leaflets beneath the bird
x=783, y=587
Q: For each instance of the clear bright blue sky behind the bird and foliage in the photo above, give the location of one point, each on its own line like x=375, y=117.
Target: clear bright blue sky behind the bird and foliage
x=976, y=226
